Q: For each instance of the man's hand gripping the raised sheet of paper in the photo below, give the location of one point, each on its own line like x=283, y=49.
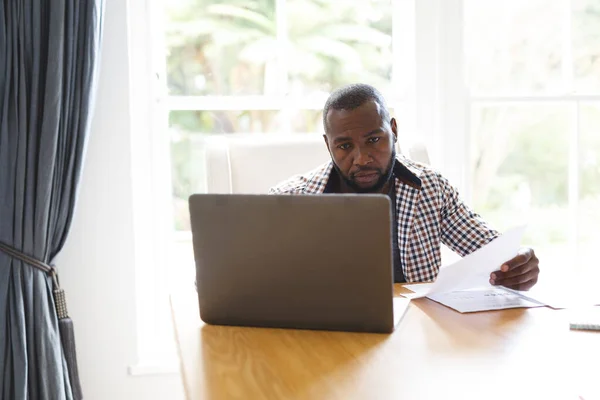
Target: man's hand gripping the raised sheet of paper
x=519, y=273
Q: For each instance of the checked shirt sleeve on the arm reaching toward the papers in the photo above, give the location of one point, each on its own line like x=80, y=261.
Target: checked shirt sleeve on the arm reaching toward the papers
x=463, y=230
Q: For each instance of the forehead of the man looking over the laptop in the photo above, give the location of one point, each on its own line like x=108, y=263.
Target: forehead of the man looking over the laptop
x=362, y=119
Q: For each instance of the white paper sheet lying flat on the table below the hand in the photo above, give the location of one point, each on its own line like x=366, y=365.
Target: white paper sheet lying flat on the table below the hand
x=466, y=301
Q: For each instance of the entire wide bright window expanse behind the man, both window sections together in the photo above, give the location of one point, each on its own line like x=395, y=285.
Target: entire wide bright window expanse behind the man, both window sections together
x=505, y=94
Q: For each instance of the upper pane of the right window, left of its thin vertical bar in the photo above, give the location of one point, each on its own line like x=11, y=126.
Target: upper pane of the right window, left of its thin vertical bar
x=514, y=45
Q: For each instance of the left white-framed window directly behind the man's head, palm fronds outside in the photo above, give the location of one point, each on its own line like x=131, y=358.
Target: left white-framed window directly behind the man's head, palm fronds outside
x=267, y=66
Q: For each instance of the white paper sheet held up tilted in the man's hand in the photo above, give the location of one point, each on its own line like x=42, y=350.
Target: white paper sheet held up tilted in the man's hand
x=474, y=269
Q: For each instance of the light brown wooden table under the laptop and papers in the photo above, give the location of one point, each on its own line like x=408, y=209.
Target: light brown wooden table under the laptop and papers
x=435, y=353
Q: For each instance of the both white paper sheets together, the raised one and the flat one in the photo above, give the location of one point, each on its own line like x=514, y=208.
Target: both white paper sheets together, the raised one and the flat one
x=464, y=285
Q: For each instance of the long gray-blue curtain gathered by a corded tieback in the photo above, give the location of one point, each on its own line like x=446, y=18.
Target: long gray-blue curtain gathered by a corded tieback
x=49, y=52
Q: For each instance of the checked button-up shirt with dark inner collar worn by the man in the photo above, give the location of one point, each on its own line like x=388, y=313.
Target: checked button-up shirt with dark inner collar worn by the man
x=430, y=212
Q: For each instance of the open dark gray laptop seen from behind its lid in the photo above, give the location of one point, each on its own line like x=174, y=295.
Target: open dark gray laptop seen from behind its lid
x=319, y=262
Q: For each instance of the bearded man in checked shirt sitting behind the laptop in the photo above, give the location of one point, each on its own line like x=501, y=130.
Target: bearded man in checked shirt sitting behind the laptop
x=427, y=210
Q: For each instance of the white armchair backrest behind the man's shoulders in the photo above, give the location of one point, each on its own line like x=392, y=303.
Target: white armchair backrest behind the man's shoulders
x=255, y=163
